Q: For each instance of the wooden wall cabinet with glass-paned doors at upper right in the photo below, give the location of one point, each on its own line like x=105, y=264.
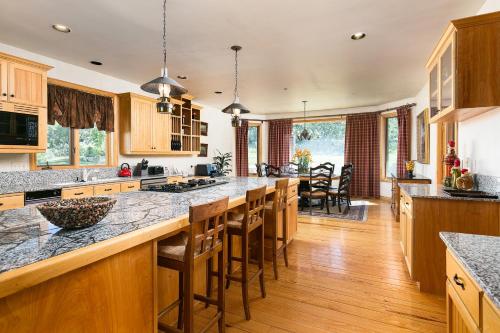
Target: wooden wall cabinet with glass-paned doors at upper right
x=464, y=69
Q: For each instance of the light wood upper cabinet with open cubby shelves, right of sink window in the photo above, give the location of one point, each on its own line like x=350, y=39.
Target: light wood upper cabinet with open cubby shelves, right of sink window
x=144, y=131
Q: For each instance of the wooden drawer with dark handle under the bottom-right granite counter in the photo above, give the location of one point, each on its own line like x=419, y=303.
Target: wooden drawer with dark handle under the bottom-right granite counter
x=466, y=290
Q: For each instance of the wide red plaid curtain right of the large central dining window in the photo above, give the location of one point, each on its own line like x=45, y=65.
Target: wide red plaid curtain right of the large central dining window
x=362, y=150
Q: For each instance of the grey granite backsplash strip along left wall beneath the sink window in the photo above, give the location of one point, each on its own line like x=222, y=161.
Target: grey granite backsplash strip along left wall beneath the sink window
x=30, y=179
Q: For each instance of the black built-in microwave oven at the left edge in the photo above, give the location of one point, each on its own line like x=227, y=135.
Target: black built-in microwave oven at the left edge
x=19, y=129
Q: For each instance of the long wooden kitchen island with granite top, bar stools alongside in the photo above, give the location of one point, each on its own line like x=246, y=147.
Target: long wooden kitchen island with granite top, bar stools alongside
x=102, y=278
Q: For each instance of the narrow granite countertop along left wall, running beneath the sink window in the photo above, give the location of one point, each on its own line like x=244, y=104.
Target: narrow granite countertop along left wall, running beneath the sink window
x=14, y=188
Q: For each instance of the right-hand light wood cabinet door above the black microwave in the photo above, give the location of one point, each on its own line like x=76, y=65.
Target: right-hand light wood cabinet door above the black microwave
x=27, y=85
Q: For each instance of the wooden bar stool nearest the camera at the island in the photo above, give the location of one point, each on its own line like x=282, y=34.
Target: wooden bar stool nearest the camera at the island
x=204, y=240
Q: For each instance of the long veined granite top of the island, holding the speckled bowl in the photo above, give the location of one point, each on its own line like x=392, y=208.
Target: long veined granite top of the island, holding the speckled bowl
x=26, y=237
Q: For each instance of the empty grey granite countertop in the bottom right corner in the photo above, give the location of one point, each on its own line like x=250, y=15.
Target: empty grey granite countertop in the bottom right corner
x=480, y=255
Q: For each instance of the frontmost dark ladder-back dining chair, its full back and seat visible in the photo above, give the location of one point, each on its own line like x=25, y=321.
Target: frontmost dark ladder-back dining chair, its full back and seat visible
x=320, y=181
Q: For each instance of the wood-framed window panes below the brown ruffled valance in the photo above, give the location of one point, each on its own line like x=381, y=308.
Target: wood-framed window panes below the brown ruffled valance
x=74, y=147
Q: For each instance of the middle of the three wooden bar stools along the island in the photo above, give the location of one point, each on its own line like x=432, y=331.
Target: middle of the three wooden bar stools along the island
x=242, y=225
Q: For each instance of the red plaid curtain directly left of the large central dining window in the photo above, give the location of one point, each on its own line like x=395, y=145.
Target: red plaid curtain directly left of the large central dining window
x=279, y=142
